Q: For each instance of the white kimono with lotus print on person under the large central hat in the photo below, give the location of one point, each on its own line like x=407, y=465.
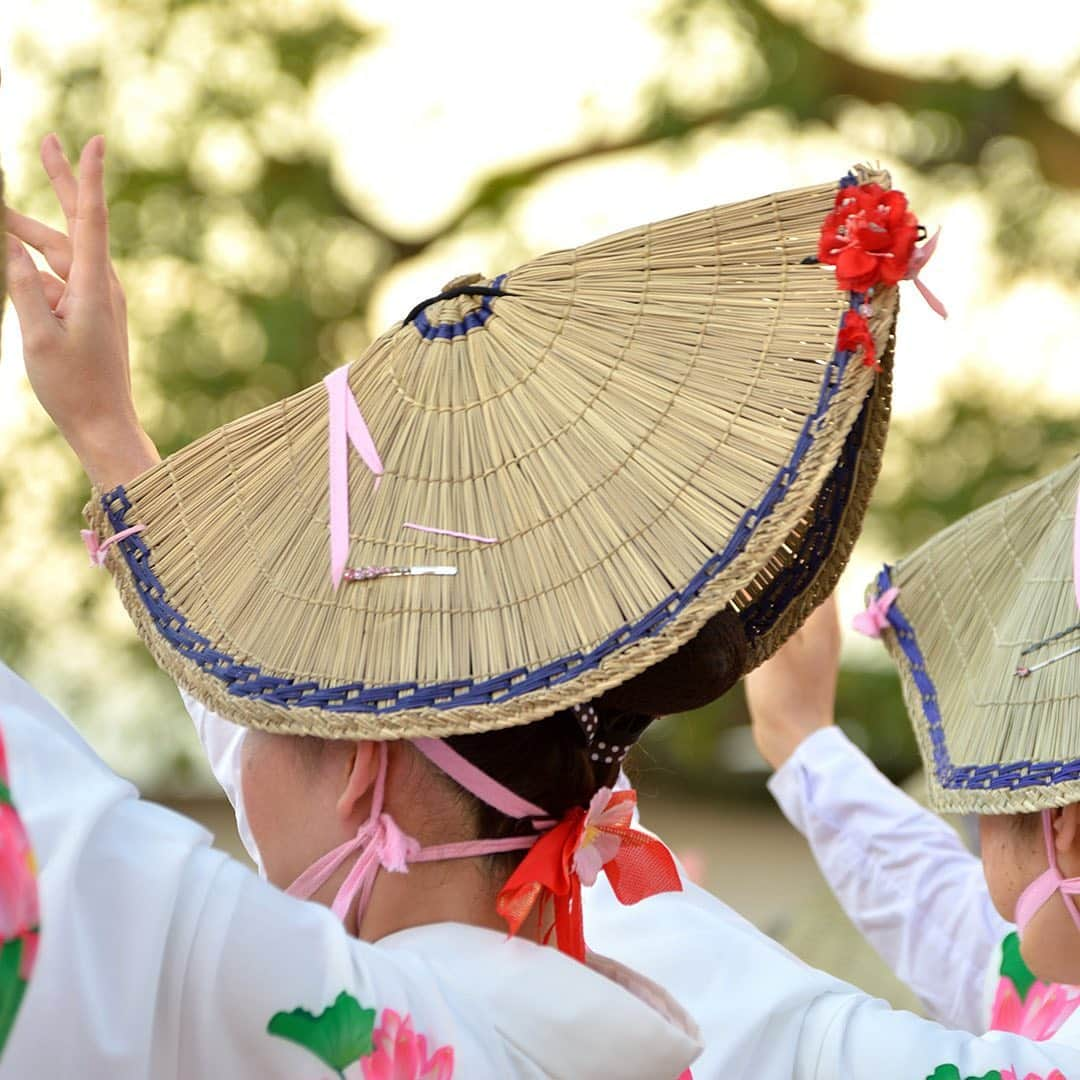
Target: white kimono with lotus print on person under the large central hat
x=163, y=960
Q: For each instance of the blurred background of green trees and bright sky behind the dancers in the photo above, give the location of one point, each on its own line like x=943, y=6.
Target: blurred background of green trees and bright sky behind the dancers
x=289, y=177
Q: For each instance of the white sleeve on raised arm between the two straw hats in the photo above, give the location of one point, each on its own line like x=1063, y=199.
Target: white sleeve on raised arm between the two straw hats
x=901, y=874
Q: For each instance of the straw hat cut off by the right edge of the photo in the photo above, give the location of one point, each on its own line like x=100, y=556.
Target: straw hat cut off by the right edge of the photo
x=985, y=633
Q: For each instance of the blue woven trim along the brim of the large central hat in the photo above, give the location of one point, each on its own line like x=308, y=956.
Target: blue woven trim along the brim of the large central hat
x=249, y=681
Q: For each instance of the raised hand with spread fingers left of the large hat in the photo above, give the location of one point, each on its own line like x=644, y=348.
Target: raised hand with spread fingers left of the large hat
x=75, y=321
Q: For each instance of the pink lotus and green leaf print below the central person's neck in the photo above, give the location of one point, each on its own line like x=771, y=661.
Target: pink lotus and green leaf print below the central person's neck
x=345, y=1038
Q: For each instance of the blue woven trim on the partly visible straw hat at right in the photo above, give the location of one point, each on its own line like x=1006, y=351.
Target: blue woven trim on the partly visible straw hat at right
x=1009, y=777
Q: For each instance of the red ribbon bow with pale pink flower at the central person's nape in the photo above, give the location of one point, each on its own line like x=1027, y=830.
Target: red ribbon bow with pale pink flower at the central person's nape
x=638, y=866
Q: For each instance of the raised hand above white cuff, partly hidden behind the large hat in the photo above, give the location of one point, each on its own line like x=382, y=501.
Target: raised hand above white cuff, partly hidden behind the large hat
x=794, y=694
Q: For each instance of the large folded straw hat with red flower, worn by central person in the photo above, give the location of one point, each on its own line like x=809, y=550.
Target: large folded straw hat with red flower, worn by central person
x=634, y=436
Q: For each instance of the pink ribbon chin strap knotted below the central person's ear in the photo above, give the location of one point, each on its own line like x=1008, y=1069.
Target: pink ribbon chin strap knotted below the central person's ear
x=382, y=844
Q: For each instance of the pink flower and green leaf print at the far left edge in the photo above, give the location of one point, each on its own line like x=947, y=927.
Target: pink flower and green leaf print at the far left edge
x=19, y=907
